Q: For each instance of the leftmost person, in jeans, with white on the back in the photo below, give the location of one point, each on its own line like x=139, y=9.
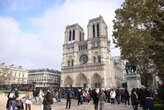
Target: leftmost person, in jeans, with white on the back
x=13, y=94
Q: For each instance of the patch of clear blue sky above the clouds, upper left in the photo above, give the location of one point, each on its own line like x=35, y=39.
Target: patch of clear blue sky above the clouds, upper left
x=22, y=10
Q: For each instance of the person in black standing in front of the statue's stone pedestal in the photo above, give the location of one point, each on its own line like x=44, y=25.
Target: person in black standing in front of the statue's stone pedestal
x=134, y=99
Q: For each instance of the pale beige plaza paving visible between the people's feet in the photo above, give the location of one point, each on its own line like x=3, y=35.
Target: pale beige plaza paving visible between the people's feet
x=61, y=105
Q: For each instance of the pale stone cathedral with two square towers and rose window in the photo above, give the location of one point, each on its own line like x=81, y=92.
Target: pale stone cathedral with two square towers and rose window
x=88, y=63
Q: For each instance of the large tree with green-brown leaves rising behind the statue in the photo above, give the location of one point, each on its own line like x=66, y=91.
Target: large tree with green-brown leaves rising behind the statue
x=134, y=32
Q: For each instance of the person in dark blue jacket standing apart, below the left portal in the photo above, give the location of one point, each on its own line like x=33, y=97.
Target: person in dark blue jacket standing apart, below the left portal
x=68, y=98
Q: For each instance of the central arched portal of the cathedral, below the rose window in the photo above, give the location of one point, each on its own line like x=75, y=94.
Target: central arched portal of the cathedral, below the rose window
x=81, y=80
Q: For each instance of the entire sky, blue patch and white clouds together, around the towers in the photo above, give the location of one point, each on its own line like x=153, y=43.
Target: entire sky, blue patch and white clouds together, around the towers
x=32, y=31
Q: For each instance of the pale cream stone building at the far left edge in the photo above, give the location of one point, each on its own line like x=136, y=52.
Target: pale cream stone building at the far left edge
x=12, y=75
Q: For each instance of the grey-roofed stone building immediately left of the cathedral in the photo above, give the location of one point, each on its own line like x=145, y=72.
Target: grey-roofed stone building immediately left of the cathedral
x=44, y=77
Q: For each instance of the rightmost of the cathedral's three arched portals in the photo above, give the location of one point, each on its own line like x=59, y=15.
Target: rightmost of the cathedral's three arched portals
x=96, y=81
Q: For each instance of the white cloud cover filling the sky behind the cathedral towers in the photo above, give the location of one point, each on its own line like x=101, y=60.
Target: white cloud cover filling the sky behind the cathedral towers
x=44, y=49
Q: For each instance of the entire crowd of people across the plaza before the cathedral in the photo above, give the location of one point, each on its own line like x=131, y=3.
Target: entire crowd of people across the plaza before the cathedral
x=138, y=97
